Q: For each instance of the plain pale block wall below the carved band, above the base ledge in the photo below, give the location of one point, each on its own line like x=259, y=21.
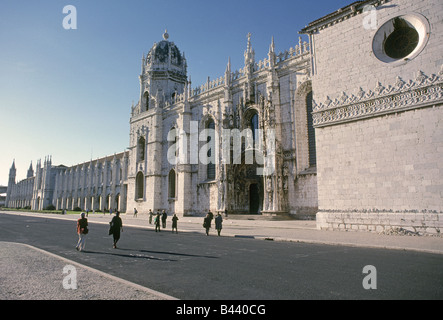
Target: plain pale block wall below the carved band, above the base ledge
x=390, y=162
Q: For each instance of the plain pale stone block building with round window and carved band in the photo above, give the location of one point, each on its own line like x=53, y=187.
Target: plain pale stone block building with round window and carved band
x=379, y=120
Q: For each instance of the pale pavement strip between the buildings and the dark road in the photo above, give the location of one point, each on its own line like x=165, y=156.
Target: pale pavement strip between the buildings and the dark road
x=256, y=227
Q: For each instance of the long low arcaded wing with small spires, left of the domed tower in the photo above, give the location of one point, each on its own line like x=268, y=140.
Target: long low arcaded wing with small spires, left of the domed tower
x=93, y=185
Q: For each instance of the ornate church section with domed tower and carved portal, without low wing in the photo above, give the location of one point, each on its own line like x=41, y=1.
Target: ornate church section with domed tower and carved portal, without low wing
x=170, y=118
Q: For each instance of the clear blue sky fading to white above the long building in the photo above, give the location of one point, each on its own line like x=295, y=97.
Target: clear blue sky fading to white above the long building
x=68, y=93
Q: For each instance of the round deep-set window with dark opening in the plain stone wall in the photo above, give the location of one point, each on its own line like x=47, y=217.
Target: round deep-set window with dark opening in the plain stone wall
x=401, y=39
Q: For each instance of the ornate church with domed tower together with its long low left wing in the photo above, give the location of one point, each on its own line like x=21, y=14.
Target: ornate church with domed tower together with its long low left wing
x=172, y=163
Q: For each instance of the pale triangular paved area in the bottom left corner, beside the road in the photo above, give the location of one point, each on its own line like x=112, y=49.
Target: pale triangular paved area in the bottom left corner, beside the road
x=29, y=273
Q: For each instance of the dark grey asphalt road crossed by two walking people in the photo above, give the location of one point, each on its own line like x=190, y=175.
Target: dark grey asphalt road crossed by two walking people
x=193, y=266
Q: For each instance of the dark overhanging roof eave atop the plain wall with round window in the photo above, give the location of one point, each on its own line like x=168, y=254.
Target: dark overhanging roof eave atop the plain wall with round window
x=341, y=14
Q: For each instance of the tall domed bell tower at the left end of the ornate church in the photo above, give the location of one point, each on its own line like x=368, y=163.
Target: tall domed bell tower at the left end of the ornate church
x=163, y=81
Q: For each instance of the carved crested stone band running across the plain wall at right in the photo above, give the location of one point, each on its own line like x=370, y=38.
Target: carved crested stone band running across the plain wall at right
x=400, y=96
